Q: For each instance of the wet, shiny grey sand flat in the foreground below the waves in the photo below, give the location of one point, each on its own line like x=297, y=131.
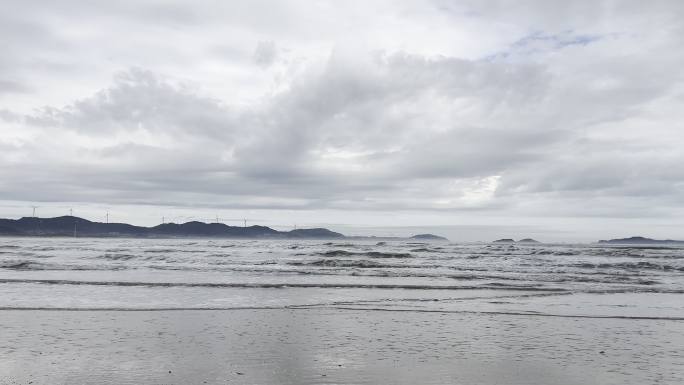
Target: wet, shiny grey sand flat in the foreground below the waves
x=332, y=346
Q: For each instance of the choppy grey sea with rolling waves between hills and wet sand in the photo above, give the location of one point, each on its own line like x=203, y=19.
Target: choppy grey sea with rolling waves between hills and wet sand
x=582, y=280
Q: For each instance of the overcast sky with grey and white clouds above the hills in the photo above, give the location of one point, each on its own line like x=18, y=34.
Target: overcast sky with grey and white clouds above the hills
x=560, y=120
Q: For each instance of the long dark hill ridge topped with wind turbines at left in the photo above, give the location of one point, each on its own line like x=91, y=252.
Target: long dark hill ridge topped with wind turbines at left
x=75, y=226
